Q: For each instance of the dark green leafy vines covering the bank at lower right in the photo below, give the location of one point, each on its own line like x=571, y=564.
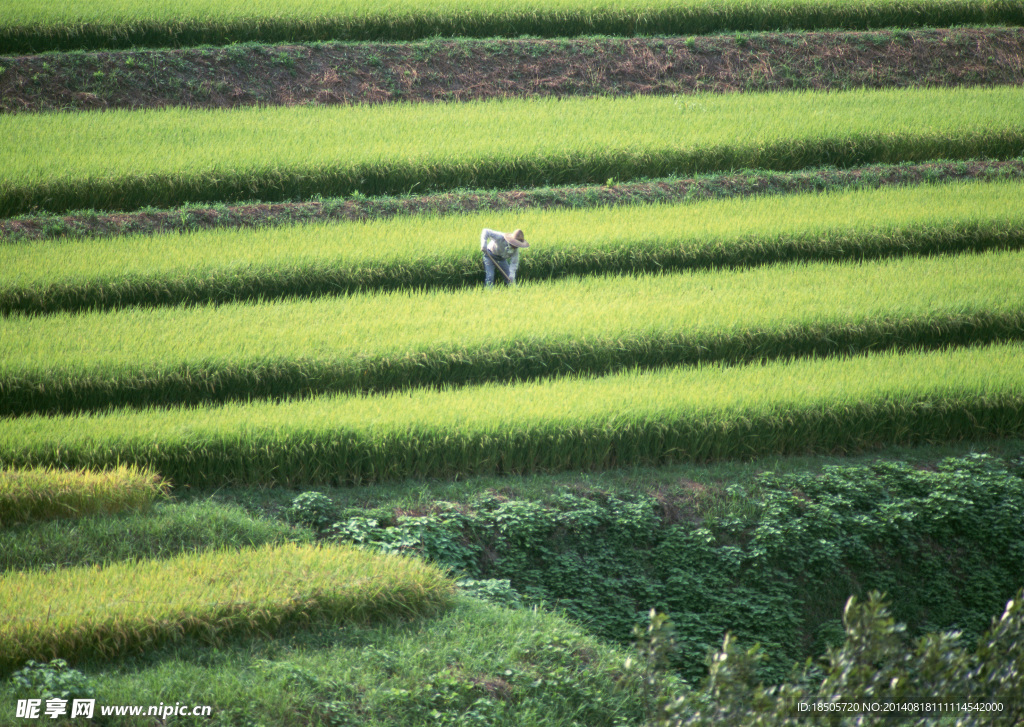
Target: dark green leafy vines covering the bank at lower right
x=947, y=545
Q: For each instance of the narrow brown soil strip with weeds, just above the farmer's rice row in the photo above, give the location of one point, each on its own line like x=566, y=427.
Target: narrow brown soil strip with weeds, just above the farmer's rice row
x=665, y=191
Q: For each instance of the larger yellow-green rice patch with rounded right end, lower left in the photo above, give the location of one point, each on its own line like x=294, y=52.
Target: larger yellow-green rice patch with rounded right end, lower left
x=123, y=608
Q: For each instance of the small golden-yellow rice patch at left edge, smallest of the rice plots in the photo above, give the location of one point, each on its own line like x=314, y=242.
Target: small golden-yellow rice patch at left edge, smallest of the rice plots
x=46, y=494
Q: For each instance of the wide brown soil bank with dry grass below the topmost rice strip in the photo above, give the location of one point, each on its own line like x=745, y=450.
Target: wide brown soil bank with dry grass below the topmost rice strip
x=464, y=70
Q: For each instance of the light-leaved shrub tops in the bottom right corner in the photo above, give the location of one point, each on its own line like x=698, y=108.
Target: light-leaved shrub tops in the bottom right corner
x=927, y=681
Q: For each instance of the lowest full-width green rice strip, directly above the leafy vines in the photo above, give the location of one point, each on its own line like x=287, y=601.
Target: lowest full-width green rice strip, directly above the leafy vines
x=701, y=414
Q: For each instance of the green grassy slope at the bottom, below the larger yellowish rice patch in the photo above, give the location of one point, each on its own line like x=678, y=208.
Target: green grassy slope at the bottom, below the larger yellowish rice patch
x=480, y=661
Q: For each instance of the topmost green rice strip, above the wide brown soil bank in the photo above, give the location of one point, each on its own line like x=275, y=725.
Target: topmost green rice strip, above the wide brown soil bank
x=104, y=24
